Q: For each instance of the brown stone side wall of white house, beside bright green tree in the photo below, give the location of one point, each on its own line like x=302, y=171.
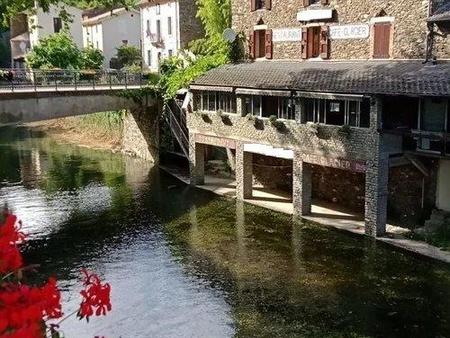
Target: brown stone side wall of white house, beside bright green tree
x=190, y=26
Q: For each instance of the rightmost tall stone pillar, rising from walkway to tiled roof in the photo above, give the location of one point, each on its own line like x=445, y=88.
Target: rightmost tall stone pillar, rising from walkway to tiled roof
x=377, y=176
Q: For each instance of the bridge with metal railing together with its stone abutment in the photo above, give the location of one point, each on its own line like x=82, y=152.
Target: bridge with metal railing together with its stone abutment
x=30, y=96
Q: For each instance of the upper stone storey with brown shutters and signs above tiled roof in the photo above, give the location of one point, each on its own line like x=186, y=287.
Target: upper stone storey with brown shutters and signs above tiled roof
x=336, y=29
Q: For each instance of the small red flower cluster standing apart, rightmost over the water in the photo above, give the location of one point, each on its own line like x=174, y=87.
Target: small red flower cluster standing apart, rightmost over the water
x=96, y=297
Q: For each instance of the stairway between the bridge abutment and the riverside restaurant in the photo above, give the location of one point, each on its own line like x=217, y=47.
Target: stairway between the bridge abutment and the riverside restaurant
x=175, y=117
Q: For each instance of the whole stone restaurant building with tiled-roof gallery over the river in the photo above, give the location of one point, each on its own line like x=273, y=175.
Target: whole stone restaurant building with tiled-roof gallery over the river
x=342, y=101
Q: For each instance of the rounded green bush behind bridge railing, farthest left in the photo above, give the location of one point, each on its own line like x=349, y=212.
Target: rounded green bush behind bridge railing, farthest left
x=55, y=51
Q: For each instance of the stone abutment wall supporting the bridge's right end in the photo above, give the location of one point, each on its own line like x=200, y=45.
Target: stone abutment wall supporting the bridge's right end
x=141, y=131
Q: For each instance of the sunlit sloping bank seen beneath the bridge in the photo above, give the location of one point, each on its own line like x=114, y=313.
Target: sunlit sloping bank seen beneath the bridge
x=97, y=131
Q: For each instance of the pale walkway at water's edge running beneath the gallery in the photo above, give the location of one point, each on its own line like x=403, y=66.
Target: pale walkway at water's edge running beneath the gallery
x=322, y=214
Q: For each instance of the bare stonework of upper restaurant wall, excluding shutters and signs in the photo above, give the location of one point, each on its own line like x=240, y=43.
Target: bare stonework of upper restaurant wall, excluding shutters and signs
x=408, y=17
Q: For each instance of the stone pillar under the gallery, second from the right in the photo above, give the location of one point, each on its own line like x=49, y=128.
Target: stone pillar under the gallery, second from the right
x=302, y=186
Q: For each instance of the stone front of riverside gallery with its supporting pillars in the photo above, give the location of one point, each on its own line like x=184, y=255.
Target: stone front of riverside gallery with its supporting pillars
x=362, y=149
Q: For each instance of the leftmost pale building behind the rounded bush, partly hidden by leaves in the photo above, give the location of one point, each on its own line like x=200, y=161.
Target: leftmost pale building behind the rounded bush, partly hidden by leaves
x=28, y=28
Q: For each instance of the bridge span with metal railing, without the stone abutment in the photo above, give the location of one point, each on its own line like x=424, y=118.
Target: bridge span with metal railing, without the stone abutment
x=35, y=95
